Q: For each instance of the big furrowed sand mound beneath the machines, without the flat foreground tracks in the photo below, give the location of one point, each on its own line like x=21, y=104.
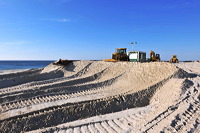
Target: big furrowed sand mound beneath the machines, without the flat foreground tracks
x=62, y=94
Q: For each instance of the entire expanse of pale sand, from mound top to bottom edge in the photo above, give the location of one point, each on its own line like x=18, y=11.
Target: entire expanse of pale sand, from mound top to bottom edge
x=98, y=96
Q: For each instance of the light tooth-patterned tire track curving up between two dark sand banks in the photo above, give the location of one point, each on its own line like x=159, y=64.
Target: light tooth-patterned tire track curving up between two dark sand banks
x=88, y=89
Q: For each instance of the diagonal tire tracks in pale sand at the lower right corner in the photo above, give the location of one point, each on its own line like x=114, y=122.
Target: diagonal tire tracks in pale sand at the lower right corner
x=177, y=124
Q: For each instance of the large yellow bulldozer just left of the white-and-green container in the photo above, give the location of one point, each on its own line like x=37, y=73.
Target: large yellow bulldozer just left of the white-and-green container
x=119, y=55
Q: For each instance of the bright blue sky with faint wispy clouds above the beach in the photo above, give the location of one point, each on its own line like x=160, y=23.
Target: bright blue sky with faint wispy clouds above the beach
x=93, y=29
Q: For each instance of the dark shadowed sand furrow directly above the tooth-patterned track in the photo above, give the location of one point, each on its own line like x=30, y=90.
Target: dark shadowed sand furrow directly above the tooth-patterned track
x=63, y=87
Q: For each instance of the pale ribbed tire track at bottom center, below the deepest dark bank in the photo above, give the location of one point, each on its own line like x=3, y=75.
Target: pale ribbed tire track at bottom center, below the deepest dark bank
x=119, y=124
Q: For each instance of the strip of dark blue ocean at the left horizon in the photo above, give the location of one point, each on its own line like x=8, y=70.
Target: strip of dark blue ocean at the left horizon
x=11, y=65
